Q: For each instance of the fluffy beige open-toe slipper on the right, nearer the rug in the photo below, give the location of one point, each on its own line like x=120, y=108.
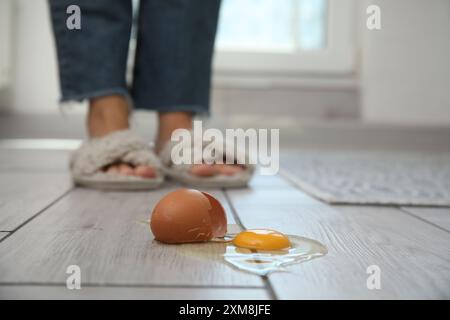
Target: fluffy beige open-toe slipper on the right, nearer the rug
x=181, y=172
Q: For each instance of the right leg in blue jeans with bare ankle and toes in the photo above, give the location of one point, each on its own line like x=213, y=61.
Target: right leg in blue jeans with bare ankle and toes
x=173, y=66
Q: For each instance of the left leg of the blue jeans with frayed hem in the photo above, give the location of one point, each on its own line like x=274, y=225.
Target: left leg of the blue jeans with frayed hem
x=92, y=60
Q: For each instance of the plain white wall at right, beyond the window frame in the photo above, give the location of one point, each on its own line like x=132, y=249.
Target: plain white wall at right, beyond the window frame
x=406, y=64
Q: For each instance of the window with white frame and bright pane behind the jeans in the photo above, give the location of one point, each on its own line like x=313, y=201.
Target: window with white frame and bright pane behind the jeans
x=285, y=36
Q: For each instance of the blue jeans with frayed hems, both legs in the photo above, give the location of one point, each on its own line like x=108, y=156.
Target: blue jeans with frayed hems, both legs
x=175, y=44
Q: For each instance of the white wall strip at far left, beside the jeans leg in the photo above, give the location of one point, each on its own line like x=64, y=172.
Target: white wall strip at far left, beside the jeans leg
x=34, y=73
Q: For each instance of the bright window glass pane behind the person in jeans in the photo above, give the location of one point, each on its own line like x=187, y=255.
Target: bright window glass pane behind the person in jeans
x=272, y=25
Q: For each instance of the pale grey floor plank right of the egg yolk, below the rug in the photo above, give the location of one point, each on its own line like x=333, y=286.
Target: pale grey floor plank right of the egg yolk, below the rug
x=413, y=256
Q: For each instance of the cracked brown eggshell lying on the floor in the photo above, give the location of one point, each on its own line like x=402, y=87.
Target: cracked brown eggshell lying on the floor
x=188, y=215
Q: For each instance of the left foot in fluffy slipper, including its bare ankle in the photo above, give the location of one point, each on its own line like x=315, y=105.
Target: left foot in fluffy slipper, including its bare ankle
x=114, y=158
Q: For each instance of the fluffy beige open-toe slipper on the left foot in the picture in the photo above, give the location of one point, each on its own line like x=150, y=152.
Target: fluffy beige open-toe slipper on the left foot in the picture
x=123, y=146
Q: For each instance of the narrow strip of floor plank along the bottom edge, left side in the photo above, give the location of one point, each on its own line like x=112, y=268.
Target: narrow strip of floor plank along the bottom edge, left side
x=125, y=293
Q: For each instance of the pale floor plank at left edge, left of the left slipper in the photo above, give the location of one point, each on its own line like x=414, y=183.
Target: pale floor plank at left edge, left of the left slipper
x=23, y=194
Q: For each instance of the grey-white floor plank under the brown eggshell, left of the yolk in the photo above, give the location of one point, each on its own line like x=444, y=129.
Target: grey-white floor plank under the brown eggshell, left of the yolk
x=105, y=233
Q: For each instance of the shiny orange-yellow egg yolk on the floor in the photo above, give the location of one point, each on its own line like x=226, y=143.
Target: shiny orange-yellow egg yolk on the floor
x=261, y=239
